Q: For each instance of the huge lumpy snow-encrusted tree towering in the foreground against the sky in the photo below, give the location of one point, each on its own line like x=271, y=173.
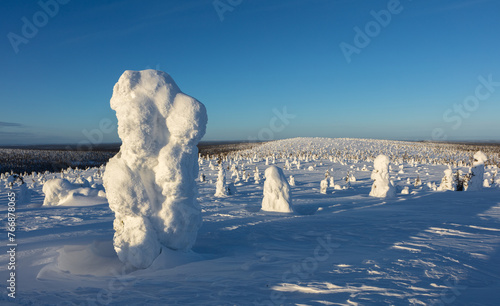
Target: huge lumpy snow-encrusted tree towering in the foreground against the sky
x=150, y=183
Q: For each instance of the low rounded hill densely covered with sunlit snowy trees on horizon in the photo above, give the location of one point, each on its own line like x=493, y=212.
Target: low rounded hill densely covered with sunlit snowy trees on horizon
x=346, y=150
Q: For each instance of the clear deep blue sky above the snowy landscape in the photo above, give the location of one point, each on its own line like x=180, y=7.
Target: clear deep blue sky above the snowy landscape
x=415, y=80
